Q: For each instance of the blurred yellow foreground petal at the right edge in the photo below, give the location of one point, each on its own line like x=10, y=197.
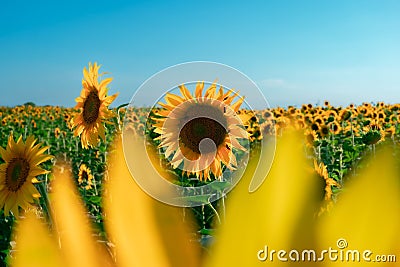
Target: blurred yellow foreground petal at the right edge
x=367, y=214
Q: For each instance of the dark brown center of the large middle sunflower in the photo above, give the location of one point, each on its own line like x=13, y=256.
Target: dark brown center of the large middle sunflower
x=198, y=129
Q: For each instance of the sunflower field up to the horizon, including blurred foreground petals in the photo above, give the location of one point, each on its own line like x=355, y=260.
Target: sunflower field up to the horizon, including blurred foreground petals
x=65, y=190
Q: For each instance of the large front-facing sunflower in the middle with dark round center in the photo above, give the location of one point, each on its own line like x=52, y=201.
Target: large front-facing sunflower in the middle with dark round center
x=201, y=131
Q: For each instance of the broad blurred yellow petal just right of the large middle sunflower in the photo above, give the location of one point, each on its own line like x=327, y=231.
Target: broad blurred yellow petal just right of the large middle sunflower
x=278, y=215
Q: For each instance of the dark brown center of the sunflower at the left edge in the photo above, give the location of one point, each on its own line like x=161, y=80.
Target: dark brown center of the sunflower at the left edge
x=16, y=173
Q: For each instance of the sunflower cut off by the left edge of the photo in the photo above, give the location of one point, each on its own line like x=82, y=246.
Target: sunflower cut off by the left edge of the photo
x=18, y=173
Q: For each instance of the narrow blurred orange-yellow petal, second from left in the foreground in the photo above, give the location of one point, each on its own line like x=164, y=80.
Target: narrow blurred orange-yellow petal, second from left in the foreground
x=72, y=225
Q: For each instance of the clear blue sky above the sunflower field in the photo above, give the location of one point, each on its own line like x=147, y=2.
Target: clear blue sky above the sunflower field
x=296, y=51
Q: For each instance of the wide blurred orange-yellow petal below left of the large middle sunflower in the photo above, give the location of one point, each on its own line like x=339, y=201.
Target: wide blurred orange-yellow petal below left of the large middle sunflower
x=145, y=231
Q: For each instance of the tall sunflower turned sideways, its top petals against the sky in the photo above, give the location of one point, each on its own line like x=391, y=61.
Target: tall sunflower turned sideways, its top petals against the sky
x=93, y=104
